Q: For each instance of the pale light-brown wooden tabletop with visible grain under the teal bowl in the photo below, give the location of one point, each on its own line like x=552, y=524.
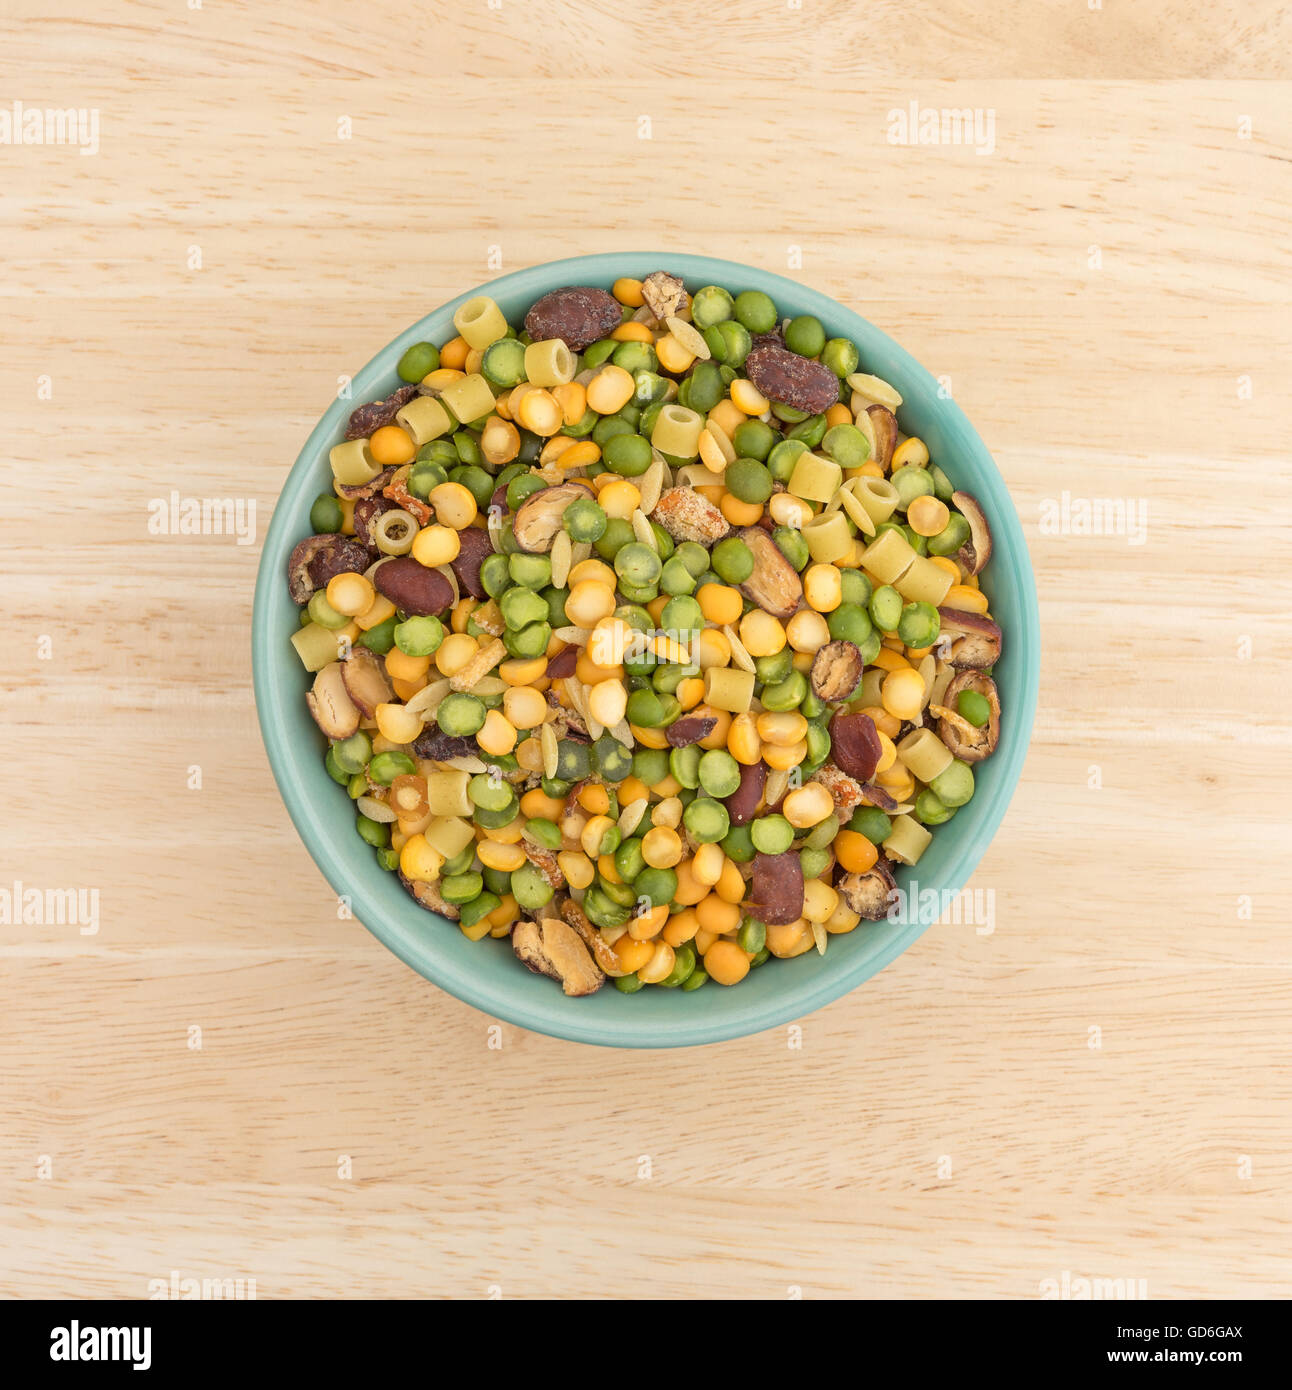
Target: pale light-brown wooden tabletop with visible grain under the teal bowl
x=227, y=1082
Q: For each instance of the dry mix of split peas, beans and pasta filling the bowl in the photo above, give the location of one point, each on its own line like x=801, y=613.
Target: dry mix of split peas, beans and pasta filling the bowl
x=643, y=637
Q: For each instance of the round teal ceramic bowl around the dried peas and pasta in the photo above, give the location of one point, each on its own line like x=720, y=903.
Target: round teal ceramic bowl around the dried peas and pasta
x=486, y=974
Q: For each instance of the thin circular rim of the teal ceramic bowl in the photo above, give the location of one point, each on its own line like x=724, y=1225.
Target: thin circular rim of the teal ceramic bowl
x=474, y=986
